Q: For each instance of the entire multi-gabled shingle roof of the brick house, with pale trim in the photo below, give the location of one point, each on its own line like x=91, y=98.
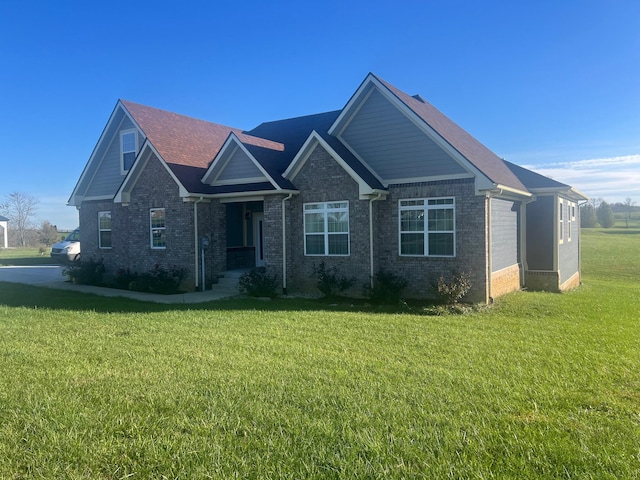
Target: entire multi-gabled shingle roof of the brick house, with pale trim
x=190, y=149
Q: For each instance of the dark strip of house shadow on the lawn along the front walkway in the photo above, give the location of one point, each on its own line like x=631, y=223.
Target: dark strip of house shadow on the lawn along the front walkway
x=28, y=296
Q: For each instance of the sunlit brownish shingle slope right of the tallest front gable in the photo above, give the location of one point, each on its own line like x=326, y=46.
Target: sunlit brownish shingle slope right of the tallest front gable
x=475, y=152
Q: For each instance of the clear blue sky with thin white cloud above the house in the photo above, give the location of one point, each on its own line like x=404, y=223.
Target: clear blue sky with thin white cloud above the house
x=550, y=85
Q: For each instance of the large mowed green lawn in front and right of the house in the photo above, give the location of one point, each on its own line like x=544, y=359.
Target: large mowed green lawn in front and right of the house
x=537, y=386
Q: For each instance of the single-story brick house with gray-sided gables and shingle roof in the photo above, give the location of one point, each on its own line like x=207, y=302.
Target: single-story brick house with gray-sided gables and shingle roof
x=386, y=183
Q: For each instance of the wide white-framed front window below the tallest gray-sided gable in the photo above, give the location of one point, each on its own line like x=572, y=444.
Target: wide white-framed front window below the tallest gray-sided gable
x=427, y=227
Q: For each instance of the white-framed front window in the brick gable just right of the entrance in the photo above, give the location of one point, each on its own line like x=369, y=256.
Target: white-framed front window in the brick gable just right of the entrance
x=326, y=228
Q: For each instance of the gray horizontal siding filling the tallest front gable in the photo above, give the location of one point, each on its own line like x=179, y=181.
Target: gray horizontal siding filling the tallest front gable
x=392, y=145
